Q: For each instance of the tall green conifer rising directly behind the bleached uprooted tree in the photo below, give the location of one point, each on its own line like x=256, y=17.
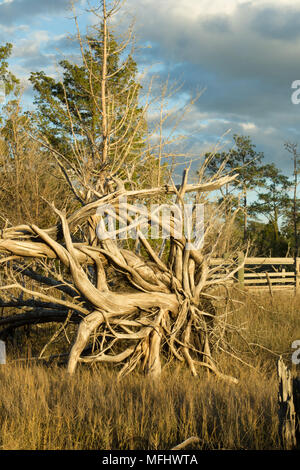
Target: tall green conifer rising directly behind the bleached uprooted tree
x=103, y=131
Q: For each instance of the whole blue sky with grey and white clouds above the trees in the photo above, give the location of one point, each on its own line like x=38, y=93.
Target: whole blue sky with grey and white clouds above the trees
x=245, y=54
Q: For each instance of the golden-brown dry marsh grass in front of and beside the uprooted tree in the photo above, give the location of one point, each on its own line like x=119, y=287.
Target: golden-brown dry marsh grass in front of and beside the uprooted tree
x=42, y=408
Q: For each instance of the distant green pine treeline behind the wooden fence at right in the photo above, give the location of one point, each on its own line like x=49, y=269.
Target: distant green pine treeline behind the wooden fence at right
x=264, y=199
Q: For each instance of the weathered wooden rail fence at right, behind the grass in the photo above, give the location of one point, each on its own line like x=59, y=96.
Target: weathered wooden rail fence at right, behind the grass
x=264, y=273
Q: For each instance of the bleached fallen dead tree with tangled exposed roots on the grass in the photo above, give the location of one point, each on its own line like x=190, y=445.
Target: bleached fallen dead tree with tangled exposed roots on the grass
x=164, y=315
